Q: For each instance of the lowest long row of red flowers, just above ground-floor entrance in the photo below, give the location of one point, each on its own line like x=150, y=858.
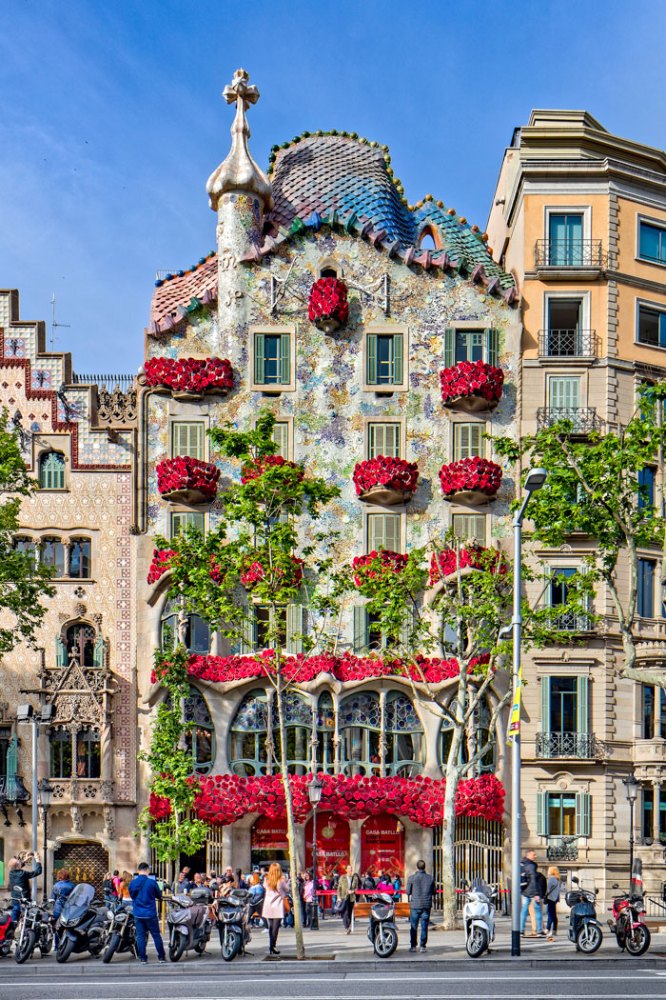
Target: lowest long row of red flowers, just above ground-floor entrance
x=226, y=798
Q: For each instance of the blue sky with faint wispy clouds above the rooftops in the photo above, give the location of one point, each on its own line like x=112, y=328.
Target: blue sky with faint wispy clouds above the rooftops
x=111, y=120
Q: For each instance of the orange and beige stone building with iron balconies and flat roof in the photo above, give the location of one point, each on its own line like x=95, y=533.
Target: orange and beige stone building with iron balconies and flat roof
x=579, y=218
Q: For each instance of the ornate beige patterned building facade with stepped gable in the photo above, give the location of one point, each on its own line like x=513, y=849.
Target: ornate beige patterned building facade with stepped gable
x=77, y=439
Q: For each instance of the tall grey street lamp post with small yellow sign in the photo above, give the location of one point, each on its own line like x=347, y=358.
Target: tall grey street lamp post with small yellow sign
x=534, y=481
